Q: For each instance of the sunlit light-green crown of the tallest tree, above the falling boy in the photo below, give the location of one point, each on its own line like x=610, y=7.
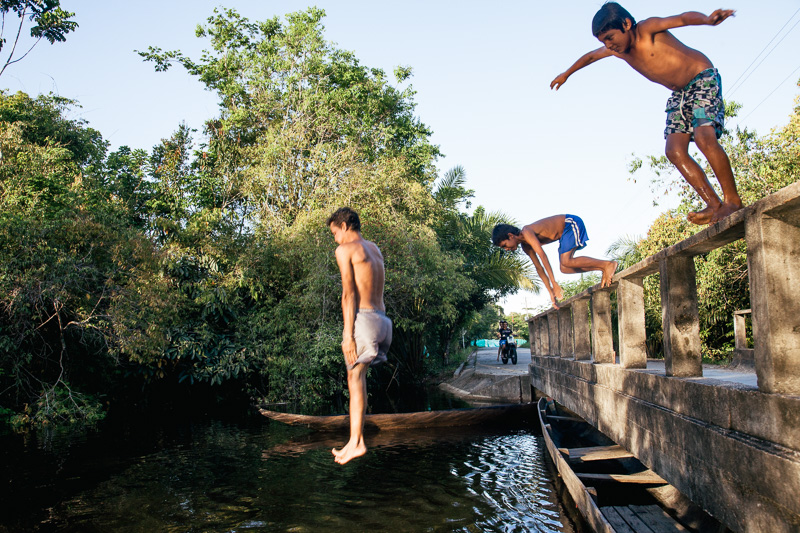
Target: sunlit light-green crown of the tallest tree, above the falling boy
x=298, y=115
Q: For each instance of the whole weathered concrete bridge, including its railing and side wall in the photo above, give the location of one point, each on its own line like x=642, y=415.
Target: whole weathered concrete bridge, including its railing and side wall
x=730, y=445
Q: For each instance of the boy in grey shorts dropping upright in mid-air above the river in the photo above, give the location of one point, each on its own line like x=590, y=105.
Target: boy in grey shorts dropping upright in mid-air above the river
x=367, y=330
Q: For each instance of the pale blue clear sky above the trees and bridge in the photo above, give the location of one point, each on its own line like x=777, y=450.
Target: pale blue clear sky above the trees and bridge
x=482, y=73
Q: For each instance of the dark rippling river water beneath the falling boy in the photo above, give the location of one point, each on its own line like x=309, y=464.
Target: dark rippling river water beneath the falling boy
x=252, y=474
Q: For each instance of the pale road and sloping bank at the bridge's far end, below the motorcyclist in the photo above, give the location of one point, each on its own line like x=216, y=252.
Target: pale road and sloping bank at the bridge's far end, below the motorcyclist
x=483, y=379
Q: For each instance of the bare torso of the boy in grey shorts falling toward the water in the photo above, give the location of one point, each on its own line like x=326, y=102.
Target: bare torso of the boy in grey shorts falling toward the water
x=368, y=273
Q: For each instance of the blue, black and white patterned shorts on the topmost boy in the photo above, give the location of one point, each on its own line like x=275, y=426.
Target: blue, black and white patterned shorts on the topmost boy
x=699, y=103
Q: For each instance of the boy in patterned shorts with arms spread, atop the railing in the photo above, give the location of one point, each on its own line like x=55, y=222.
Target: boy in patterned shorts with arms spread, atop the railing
x=695, y=110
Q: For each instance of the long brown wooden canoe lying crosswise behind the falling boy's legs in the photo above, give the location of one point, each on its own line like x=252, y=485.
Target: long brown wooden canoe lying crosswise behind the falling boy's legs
x=420, y=419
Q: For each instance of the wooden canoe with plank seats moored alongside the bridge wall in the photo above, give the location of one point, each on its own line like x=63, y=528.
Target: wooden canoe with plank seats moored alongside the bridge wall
x=614, y=491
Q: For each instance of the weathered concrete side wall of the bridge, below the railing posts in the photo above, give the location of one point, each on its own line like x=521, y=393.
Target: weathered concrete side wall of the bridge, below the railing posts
x=732, y=449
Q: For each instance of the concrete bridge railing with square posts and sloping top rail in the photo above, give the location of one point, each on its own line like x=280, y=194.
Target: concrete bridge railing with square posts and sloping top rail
x=771, y=229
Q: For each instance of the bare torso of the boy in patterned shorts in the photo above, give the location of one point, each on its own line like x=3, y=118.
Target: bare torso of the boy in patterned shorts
x=662, y=58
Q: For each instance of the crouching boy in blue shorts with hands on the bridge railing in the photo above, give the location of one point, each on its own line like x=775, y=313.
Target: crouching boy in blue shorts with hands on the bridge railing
x=570, y=232
